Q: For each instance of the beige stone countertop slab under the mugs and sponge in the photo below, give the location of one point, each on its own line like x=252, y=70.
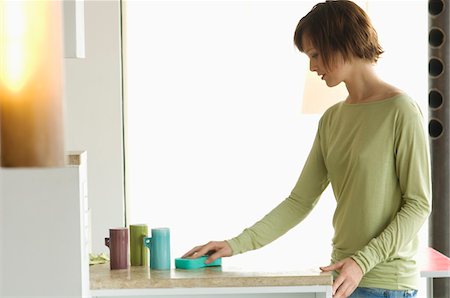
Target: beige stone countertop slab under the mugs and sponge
x=136, y=277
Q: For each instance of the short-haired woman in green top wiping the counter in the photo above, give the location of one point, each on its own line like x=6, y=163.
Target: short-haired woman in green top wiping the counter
x=373, y=150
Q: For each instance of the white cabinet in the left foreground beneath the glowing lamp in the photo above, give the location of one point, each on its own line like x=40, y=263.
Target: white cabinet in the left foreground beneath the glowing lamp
x=44, y=231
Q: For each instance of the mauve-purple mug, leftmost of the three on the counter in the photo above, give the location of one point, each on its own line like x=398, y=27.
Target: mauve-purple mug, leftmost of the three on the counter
x=118, y=248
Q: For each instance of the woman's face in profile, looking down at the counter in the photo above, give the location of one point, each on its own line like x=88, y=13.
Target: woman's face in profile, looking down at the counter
x=332, y=76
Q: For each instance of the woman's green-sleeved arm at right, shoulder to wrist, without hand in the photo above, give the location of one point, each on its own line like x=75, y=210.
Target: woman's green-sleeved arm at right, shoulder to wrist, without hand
x=412, y=165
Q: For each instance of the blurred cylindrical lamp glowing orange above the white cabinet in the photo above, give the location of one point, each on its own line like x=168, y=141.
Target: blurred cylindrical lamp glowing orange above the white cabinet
x=31, y=82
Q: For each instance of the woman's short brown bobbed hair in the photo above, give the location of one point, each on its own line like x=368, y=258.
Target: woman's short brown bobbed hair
x=339, y=26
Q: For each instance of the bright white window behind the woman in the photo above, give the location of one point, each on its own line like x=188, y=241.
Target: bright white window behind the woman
x=215, y=133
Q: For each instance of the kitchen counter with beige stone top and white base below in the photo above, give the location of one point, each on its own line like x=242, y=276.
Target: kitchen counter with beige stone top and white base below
x=137, y=281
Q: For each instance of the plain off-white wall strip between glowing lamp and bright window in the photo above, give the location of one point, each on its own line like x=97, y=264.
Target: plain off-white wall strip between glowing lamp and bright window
x=94, y=113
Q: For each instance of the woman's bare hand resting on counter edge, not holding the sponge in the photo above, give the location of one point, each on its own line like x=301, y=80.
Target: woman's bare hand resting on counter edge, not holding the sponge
x=350, y=274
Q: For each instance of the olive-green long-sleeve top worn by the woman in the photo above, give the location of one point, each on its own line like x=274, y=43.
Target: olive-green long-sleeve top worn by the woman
x=375, y=155
